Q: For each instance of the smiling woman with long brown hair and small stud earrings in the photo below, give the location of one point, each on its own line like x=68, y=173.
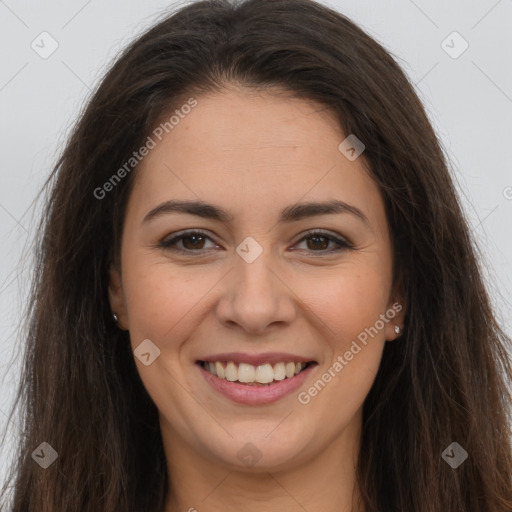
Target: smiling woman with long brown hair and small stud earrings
x=256, y=288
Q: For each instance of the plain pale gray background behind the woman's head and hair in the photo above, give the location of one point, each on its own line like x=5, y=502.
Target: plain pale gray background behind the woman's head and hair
x=468, y=98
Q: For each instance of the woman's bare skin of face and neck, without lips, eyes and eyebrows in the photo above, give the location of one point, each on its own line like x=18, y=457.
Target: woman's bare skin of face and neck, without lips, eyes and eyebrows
x=254, y=154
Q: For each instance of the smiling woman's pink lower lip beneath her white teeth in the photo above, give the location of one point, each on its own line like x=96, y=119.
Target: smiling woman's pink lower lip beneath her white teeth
x=256, y=395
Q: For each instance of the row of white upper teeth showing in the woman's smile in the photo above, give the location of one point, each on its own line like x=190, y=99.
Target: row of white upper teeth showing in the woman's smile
x=247, y=373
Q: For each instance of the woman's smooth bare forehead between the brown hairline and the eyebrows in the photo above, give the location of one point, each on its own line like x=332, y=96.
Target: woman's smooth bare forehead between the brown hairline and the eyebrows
x=250, y=150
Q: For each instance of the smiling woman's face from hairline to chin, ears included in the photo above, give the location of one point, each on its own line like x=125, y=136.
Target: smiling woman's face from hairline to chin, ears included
x=254, y=285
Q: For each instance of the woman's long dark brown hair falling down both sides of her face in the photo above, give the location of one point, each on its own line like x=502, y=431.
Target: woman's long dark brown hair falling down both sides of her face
x=445, y=381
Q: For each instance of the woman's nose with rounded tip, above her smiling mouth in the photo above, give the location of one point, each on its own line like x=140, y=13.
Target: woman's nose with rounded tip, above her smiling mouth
x=256, y=296
